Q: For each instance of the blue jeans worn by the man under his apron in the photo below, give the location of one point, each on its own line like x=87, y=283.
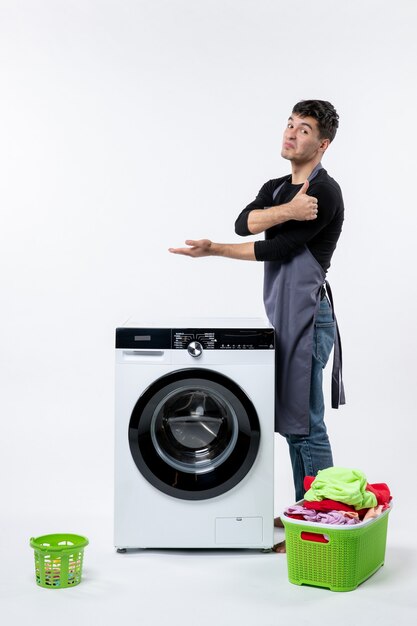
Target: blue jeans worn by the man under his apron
x=311, y=453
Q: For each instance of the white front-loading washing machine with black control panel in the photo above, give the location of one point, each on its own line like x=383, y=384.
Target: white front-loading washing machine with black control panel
x=194, y=434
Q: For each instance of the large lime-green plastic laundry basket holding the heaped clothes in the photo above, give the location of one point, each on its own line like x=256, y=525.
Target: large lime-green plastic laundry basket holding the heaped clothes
x=336, y=557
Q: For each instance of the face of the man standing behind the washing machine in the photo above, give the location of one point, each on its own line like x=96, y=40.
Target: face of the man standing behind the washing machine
x=301, y=141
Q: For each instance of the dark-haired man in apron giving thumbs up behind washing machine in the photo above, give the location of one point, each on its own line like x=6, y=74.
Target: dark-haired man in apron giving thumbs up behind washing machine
x=302, y=216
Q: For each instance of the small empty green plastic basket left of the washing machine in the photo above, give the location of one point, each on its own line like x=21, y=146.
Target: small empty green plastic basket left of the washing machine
x=58, y=560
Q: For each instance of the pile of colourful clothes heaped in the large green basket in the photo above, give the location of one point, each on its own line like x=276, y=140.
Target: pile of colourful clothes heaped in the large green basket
x=338, y=495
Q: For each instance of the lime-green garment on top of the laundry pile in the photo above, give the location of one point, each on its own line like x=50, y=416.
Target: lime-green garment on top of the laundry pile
x=343, y=485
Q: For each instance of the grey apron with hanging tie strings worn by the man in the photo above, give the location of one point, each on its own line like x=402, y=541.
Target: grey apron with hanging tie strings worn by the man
x=292, y=291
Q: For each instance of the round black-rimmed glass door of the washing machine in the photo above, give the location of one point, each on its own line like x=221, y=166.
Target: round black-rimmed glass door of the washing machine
x=194, y=434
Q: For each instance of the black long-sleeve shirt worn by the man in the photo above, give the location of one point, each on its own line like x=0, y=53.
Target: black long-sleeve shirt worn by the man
x=286, y=240
